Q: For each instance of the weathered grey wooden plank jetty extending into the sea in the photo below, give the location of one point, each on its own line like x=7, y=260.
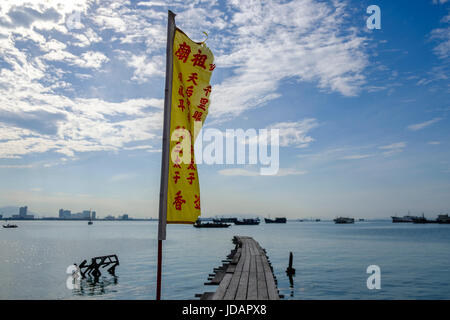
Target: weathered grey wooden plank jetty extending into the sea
x=247, y=274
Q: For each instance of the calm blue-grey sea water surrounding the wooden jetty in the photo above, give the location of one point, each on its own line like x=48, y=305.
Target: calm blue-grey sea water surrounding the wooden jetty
x=330, y=260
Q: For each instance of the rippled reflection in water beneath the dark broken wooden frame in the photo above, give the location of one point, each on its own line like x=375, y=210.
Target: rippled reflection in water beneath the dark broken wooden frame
x=96, y=286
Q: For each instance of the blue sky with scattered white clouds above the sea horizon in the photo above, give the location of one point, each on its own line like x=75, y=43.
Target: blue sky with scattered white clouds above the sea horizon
x=363, y=114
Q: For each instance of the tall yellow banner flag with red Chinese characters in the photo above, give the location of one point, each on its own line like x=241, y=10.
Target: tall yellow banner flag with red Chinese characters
x=193, y=64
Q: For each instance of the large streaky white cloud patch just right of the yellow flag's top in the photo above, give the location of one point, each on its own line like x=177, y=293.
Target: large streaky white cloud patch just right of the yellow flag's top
x=286, y=40
